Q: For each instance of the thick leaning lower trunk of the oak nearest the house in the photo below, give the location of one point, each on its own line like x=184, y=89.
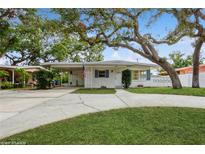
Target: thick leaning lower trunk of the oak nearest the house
x=176, y=83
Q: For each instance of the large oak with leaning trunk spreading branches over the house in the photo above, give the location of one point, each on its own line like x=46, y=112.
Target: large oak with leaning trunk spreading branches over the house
x=116, y=28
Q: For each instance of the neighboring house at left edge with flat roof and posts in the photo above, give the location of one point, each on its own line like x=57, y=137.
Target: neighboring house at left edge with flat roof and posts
x=13, y=76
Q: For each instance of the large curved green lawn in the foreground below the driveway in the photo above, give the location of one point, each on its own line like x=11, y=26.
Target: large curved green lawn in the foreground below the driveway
x=151, y=125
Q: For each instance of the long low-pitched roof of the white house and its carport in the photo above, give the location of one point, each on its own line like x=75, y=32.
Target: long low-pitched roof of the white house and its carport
x=99, y=63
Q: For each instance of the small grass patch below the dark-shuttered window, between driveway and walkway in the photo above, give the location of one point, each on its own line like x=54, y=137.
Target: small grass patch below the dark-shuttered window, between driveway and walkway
x=95, y=91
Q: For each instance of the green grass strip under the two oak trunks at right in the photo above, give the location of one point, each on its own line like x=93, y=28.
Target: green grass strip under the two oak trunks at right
x=169, y=90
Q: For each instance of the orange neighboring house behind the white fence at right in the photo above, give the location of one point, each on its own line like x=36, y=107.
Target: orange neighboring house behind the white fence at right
x=189, y=69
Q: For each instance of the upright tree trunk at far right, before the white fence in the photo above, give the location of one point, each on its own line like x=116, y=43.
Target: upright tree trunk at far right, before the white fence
x=196, y=58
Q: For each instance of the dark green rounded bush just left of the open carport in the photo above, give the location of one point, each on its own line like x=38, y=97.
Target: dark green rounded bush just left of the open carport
x=44, y=79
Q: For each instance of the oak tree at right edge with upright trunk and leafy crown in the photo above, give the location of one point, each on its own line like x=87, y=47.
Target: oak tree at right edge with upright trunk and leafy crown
x=191, y=24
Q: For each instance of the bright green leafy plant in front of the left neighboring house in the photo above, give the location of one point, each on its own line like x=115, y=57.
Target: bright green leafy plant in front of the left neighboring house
x=24, y=76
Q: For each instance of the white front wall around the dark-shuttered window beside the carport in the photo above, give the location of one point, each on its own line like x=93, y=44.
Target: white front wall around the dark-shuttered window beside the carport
x=114, y=80
